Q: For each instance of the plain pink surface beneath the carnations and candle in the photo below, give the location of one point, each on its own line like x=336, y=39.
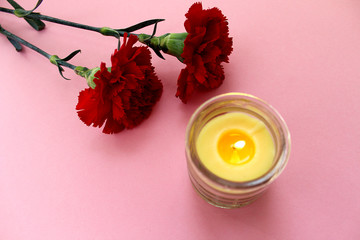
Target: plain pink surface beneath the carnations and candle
x=60, y=179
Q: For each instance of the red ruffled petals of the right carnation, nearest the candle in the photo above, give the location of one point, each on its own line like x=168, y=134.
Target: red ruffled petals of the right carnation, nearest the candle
x=206, y=46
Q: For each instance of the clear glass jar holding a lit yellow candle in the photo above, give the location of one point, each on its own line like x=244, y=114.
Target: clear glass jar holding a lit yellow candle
x=236, y=146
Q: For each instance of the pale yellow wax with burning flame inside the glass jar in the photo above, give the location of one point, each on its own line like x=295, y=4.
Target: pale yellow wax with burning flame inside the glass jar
x=236, y=147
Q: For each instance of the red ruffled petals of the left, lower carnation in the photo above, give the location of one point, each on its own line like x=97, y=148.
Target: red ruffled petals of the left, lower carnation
x=124, y=96
